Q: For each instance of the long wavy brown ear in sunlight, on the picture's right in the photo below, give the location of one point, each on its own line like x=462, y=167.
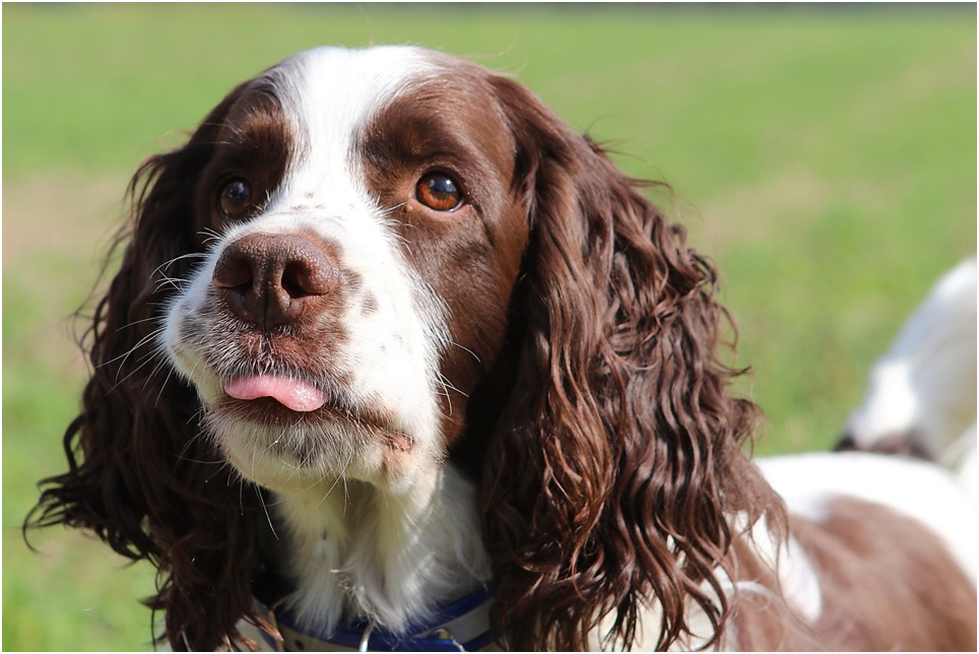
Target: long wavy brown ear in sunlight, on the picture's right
x=612, y=472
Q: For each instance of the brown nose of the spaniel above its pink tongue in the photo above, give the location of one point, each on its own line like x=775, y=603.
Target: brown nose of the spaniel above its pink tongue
x=270, y=279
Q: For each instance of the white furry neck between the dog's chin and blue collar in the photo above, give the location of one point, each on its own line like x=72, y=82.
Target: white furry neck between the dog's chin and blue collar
x=359, y=553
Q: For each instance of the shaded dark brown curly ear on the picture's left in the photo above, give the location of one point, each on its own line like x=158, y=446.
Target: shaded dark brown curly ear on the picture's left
x=140, y=475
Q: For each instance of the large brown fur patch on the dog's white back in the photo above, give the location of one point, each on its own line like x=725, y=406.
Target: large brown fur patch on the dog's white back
x=887, y=582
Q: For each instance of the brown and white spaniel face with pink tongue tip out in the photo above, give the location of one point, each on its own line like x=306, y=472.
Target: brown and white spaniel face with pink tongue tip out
x=363, y=234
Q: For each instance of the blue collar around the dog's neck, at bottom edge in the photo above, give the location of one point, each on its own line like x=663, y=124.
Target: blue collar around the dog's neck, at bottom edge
x=462, y=626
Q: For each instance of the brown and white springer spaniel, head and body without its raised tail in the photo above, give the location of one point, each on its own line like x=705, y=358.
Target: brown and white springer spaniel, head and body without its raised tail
x=395, y=359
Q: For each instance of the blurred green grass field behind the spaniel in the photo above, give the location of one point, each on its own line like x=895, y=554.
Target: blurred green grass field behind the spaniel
x=826, y=159
